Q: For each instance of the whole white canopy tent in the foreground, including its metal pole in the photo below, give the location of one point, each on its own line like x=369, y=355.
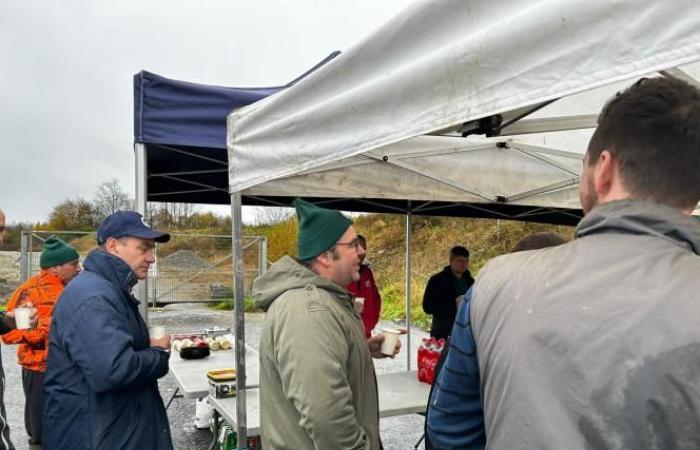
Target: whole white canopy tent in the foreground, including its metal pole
x=382, y=124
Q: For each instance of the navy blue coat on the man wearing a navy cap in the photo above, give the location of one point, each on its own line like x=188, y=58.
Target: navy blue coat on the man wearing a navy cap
x=101, y=388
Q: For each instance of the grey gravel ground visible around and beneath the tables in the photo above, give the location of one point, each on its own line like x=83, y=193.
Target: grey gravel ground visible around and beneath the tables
x=398, y=433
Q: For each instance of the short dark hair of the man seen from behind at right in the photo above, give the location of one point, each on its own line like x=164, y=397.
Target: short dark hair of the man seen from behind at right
x=653, y=130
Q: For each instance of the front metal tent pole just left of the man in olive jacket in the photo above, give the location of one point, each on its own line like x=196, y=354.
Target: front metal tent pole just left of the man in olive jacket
x=239, y=320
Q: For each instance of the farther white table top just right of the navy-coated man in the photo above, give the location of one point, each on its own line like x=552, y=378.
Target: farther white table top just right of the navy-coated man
x=190, y=375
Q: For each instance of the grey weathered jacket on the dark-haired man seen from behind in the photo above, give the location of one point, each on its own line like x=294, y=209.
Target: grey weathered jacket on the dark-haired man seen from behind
x=595, y=343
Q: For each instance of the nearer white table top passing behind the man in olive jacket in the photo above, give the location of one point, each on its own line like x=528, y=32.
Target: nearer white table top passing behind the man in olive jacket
x=399, y=393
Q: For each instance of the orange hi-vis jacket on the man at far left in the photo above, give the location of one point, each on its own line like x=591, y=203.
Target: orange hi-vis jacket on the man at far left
x=43, y=291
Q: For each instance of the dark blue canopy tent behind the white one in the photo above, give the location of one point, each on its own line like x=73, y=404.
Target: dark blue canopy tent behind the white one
x=181, y=129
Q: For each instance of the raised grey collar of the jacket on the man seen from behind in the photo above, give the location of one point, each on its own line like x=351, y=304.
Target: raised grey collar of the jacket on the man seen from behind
x=642, y=217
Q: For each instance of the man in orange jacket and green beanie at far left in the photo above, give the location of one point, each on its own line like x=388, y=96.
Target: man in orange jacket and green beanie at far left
x=59, y=264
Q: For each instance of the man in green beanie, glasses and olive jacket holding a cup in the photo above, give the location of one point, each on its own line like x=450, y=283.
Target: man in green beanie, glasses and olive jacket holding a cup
x=317, y=384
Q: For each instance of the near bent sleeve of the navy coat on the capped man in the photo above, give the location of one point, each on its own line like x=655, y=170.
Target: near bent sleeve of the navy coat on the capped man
x=100, y=342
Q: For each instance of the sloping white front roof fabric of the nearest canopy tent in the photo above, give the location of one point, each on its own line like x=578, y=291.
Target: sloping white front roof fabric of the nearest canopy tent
x=440, y=66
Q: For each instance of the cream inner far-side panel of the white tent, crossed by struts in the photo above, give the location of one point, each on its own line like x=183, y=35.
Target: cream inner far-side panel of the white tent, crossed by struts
x=433, y=168
